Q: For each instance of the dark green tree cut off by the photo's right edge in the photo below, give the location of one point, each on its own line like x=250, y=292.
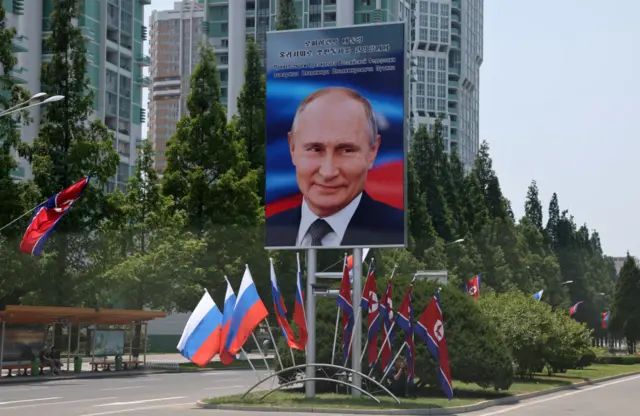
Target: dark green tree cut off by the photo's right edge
x=625, y=314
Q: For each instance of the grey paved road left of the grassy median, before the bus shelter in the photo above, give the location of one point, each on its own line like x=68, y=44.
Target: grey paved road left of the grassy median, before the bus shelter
x=152, y=394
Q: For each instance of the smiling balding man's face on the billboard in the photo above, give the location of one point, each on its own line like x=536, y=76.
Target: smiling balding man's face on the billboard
x=332, y=151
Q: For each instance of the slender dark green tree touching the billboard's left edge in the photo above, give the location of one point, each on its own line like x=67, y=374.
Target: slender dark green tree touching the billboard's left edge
x=250, y=124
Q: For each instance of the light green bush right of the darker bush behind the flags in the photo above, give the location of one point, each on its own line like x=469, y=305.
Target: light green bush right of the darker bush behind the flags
x=537, y=336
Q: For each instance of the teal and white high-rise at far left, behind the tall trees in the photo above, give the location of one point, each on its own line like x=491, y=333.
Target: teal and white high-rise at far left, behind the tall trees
x=114, y=34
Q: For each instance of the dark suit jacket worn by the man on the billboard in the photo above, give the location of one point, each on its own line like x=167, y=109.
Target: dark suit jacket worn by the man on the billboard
x=373, y=224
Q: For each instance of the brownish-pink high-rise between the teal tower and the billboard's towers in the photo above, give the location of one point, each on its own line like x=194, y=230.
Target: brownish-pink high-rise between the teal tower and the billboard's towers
x=173, y=45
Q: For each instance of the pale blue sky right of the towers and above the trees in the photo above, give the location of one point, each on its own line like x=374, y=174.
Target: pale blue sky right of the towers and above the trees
x=559, y=104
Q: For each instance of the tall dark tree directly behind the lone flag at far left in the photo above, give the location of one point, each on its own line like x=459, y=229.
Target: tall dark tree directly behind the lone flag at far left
x=69, y=147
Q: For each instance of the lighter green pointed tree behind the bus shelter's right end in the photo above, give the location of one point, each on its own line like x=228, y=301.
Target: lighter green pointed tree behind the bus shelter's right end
x=152, y=254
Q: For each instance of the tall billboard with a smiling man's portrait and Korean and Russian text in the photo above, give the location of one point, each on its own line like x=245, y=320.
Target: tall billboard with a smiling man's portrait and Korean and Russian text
x=335, y=141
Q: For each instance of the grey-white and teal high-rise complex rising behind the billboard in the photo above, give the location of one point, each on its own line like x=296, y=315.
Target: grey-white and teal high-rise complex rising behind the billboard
x=445, y=43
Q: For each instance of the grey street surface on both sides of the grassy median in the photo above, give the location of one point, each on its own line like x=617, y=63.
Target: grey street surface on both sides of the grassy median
x=176, y=394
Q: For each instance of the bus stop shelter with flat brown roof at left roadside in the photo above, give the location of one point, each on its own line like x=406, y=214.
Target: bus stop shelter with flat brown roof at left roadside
x=54, y=315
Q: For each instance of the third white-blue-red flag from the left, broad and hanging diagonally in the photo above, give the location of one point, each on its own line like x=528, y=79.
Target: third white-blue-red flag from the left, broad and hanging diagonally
x=247, y=315
